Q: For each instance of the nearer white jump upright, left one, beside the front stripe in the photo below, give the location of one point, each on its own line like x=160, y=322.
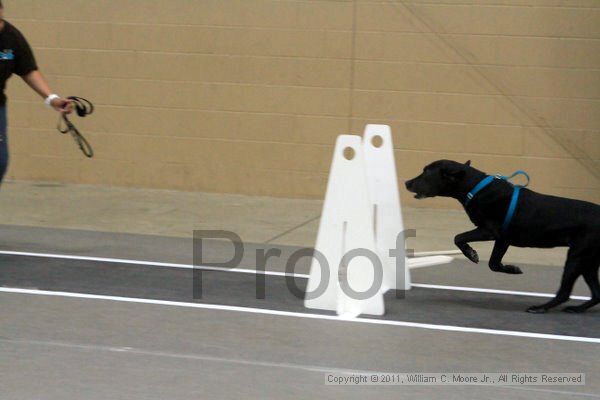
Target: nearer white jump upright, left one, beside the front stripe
x=346, y=224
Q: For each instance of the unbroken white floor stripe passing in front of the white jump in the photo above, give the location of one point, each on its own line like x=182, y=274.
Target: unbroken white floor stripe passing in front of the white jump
x=447, y=328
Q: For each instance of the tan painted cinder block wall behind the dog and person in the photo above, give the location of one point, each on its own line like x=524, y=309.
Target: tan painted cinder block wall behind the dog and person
x=247, y=96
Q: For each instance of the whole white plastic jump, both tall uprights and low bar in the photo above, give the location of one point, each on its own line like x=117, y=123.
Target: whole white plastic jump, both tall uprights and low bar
x=361, y=216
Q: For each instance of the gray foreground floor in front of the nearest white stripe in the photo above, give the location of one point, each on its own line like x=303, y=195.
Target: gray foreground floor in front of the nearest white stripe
x=83, y=349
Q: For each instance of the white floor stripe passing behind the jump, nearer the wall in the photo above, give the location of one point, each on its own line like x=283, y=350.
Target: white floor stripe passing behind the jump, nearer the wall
x=253, y=271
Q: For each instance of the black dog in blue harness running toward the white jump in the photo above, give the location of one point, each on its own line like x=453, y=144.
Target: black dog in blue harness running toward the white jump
x=539, y=221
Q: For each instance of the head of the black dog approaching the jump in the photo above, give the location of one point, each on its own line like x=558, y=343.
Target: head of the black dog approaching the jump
x=440, y=178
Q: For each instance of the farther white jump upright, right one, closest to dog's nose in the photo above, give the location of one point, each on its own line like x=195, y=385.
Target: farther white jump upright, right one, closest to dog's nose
x=385, y=204
